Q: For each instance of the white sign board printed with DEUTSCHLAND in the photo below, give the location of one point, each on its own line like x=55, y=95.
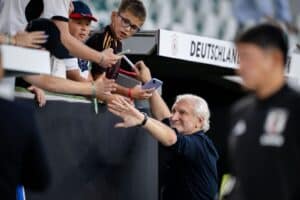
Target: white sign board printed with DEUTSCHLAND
x=197, y=49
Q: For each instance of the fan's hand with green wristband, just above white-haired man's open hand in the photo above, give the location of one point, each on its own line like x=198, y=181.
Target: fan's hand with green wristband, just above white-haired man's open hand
x=104, y=86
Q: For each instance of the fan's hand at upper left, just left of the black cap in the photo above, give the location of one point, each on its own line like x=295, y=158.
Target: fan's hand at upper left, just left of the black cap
x=30, y=39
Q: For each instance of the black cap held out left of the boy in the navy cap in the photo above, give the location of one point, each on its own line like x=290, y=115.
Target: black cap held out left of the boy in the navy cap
x=53, y=44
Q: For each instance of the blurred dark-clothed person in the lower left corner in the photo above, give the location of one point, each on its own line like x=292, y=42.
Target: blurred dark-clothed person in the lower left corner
x=22, y=155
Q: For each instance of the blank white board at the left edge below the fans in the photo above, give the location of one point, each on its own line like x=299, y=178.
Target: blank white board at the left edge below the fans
x=25, y=60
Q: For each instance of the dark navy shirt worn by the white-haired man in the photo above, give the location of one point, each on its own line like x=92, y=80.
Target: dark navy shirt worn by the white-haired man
x=190, y=171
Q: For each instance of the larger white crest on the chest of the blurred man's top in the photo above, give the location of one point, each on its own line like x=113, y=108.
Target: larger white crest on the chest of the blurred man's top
x=274, y=126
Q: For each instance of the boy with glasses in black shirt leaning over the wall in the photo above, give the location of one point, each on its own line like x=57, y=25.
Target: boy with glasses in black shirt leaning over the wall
x=125, y=22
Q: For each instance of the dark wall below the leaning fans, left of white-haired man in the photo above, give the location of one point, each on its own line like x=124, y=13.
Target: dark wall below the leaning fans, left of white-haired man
x=89, y=159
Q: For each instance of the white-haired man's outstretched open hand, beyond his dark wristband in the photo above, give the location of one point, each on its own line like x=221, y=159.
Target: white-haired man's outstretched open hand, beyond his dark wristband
x=124, y=109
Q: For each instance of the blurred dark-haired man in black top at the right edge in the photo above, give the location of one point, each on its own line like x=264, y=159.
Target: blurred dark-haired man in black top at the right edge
x=265, y=143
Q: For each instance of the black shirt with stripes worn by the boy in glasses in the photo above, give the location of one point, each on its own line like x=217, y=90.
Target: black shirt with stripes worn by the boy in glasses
x=104, y=40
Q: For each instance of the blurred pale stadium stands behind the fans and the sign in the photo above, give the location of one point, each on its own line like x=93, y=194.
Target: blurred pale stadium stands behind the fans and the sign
x=212, y=18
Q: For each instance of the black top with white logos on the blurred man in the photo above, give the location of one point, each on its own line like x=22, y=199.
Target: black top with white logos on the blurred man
x=265, y=147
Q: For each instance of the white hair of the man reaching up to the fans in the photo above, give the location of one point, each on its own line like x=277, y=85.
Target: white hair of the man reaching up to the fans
x=200, y=108
